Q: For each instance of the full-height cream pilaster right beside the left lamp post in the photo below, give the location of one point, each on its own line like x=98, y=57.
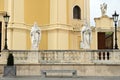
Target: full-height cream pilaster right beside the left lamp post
x=16, y=35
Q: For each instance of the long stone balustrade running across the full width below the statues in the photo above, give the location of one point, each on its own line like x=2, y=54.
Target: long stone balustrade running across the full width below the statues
x=65, y=56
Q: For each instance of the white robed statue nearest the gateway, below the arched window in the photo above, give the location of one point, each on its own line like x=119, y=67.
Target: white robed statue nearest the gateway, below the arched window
x=86, y=35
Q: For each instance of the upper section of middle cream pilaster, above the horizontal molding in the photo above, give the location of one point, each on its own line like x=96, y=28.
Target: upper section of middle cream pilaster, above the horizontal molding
x=58, y=11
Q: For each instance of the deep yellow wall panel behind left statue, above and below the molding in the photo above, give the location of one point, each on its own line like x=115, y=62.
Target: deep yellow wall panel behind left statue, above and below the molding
x=37, y=11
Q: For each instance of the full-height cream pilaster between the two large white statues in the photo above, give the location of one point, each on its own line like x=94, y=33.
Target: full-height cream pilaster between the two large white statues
x=58, y=37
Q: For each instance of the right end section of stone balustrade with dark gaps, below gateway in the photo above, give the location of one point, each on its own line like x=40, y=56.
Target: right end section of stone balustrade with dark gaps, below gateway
x=105, y=56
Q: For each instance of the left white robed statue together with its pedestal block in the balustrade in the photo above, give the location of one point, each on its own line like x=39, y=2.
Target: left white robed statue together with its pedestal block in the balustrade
x=35, y=35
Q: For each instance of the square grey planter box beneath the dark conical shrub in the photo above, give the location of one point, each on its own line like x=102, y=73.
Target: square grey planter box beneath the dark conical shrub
x=9, y=71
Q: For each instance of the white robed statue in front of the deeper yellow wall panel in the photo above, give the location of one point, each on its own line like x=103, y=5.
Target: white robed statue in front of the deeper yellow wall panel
x=35, y=36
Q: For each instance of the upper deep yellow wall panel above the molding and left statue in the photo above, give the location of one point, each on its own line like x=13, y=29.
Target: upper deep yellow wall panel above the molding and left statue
x=37, y=10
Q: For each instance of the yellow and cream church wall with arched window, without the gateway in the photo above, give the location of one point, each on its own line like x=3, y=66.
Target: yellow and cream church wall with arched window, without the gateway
x=55, y=18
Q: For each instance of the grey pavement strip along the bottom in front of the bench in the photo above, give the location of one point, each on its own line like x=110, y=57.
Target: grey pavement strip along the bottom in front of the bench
x=60, y=78
